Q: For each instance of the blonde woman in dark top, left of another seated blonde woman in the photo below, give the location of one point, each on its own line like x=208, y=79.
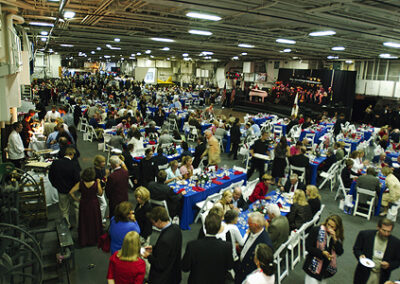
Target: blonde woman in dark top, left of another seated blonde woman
x=300, y=212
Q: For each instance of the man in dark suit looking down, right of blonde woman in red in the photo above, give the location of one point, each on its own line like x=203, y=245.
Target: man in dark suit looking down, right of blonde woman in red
x=165, y=256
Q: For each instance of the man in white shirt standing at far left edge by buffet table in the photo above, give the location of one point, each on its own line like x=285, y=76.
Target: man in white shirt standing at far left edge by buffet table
x=16, y=148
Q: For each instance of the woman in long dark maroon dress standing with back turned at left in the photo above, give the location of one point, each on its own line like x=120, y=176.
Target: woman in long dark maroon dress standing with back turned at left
x=90, y=228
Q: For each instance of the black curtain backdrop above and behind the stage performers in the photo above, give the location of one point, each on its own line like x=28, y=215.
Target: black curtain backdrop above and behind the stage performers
x=344, y=82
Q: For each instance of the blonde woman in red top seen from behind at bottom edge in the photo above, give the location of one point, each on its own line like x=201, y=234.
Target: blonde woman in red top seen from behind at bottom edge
x=126, y=266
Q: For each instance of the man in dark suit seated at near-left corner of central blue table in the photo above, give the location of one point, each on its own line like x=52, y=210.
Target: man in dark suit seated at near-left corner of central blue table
x=160, y=191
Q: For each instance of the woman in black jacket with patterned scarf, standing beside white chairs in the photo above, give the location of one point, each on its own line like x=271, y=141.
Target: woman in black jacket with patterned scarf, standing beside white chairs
x=323, y=245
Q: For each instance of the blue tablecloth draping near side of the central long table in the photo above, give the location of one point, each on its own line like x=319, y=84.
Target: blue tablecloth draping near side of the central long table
x=190, y=199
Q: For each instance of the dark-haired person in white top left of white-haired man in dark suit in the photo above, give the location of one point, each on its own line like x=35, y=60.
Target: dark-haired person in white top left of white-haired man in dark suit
x=233, y=234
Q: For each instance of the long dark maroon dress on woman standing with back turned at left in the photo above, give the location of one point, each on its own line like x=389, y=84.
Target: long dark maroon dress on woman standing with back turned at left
x=90, y=227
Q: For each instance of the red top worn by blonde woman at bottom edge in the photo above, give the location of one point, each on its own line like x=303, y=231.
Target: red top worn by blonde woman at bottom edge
x=126, y=272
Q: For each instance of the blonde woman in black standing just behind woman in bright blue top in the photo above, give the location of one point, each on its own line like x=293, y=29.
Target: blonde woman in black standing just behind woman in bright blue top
x=143, y=206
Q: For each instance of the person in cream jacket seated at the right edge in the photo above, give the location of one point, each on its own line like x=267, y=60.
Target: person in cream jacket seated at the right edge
x=393, y=185
